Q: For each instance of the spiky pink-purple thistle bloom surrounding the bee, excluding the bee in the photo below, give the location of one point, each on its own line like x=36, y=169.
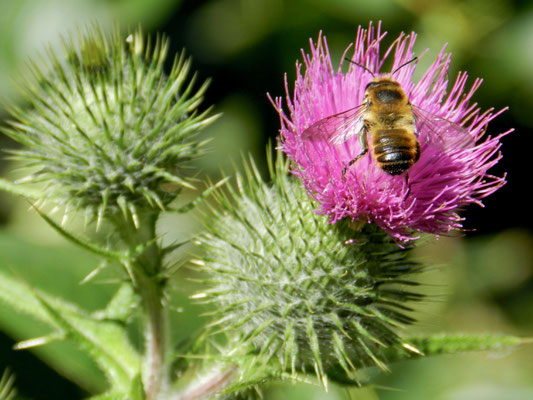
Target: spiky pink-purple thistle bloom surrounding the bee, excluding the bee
x=436, y=187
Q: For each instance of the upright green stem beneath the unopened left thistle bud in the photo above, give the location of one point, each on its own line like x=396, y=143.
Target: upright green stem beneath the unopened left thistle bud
x=149, y=282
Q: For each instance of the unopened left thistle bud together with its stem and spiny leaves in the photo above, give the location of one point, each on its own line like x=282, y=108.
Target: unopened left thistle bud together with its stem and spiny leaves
x=107, y=132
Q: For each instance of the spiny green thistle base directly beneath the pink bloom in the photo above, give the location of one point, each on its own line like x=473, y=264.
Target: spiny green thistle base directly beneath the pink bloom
x=305, y=294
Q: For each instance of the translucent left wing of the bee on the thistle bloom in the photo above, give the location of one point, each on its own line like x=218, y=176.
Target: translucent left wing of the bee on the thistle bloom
x=338, y=128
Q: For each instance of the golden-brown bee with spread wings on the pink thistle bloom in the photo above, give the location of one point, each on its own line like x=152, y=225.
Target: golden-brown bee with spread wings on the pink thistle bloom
x=389, y=127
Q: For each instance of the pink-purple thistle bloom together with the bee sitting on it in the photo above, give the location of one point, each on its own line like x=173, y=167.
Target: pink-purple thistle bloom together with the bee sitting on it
x=334, y=119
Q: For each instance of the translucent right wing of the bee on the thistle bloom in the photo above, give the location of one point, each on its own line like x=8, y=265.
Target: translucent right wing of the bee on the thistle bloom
x=441, y=133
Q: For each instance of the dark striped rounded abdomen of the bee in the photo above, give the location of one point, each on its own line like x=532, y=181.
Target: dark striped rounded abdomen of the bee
x=395, y=150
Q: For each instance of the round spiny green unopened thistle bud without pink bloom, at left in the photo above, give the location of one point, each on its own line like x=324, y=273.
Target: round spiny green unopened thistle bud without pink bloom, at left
x=107, y=130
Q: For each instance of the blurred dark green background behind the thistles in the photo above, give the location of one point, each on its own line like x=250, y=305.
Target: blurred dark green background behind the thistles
x=483, y=282
